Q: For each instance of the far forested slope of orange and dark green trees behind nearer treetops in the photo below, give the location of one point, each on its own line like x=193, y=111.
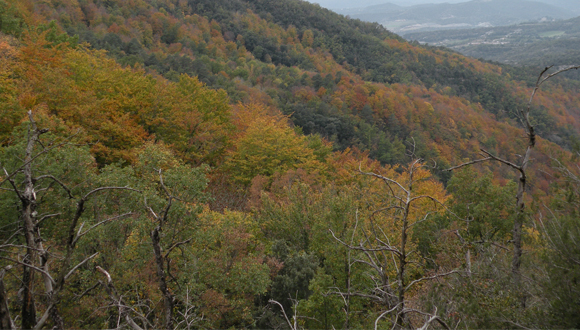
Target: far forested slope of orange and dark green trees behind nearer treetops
x=354, y=83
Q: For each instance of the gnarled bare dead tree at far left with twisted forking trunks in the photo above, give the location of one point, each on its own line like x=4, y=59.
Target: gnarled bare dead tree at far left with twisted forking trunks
x=37, y=257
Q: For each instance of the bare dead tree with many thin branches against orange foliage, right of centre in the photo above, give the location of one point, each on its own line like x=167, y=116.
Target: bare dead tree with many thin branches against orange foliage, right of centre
x=377, y=252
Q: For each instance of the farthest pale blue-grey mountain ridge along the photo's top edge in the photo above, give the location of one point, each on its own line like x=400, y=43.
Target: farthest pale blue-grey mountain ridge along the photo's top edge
x=472, y=14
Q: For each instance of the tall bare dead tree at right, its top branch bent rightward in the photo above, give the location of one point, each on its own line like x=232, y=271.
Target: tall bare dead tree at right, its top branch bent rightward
x=521, y=167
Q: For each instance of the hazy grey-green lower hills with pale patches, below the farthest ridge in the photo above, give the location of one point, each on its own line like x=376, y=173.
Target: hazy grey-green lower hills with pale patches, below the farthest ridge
x=533, y=44
